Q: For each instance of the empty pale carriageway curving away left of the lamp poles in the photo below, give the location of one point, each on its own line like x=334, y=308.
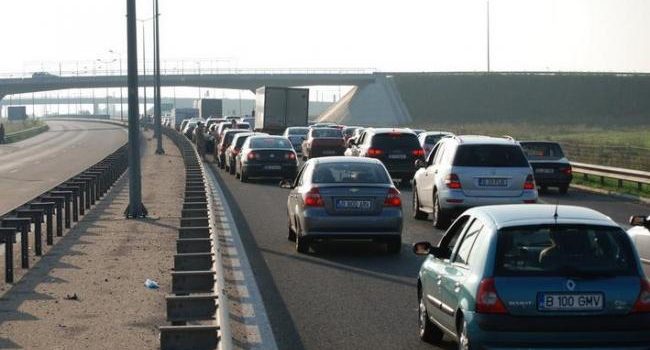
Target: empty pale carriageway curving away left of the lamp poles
x=30, y=167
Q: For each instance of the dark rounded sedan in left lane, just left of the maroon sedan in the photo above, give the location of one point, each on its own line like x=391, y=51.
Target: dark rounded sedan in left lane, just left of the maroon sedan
x=266, y=156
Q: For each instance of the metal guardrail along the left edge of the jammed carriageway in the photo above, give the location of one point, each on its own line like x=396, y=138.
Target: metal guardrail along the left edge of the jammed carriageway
x=197, y=308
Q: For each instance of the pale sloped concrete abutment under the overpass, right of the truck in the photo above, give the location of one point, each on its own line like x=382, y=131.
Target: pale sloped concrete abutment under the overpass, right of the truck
x=374, y=104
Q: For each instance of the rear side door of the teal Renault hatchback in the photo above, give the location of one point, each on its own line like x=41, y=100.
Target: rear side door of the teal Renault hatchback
x=456, y=272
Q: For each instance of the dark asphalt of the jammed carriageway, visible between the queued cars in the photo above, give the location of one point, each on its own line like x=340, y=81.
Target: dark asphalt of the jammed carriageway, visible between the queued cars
x=346, y=295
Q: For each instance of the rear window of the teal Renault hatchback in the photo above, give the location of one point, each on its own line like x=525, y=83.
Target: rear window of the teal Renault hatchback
x=564, y=250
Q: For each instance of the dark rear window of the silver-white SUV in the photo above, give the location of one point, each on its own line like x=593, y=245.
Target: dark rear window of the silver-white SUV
x=490, y=156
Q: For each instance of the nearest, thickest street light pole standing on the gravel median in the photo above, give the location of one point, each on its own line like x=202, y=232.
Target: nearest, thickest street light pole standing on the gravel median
x=135, y=209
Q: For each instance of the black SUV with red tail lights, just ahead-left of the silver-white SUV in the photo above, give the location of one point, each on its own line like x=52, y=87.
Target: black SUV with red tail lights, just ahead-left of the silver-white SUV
x=398, y=149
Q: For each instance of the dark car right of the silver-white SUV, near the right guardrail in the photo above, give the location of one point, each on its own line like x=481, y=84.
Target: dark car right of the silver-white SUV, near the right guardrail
x=550, y=166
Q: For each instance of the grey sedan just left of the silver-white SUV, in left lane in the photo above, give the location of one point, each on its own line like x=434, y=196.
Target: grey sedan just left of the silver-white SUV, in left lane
x=344, y=198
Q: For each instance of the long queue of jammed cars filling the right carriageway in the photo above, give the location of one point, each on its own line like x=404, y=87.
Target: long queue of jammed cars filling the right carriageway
x=509, y=271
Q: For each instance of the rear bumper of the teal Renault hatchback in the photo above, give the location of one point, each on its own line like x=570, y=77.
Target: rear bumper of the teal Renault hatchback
x=593, y=332
